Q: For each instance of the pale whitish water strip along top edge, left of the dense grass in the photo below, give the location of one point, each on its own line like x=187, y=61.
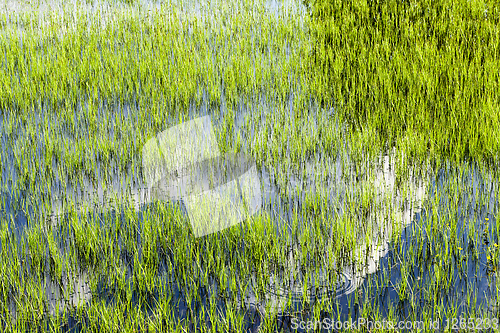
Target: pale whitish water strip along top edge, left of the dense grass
x=100, y=14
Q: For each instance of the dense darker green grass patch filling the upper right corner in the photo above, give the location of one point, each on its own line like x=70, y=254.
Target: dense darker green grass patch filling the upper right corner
x=421, y=73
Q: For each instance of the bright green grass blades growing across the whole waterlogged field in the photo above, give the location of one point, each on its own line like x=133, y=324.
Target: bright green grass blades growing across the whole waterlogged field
x=61, y=85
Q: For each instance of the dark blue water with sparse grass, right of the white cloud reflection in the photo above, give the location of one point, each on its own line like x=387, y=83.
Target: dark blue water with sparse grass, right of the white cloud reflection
x=471, y=276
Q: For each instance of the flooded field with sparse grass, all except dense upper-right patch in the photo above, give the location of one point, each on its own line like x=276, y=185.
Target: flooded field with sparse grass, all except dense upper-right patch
x=167, y=170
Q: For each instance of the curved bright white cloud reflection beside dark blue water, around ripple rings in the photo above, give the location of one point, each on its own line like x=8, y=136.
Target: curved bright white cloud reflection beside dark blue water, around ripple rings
x=288, y=284
